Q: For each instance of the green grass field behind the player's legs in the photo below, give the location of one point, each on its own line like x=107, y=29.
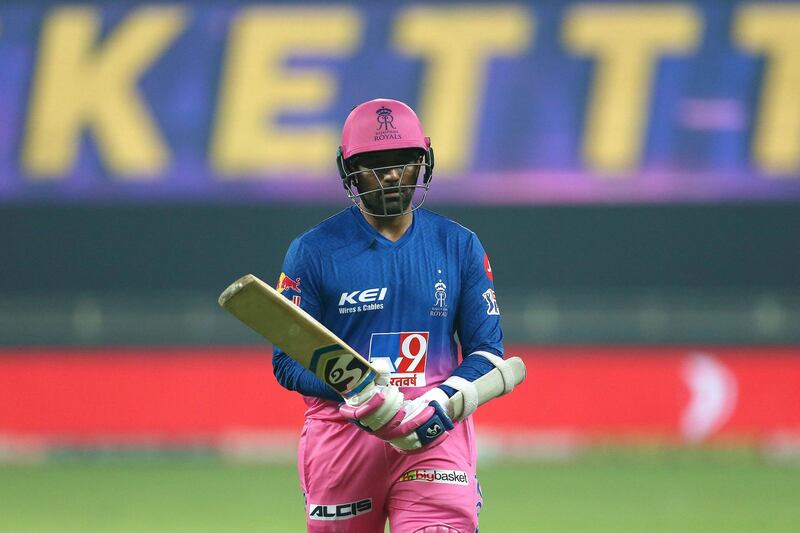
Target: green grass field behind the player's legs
x=673, y=491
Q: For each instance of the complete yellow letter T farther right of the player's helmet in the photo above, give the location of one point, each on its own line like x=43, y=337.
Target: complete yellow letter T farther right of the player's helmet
x=627, y=41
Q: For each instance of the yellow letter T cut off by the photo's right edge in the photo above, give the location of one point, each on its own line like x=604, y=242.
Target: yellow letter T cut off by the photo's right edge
x=774, y=31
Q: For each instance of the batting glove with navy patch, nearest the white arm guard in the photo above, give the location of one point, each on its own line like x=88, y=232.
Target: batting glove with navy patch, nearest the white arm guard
x=425, y=423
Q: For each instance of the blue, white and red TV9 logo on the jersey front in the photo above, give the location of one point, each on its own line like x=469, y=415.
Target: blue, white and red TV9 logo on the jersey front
x=405, y=353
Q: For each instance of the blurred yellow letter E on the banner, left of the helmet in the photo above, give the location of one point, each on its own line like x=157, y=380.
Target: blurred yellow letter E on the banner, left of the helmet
x=257, y=89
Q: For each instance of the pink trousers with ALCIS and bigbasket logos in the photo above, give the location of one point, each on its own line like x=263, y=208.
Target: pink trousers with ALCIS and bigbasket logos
x=353, y=481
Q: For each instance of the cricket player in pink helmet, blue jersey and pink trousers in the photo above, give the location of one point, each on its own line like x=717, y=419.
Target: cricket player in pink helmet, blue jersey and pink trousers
x=404, y=287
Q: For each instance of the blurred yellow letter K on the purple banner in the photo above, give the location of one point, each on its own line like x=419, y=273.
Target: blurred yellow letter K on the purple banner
x=82, y=84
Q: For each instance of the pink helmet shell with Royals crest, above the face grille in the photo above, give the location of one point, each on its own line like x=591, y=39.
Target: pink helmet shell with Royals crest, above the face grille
x=382, y=124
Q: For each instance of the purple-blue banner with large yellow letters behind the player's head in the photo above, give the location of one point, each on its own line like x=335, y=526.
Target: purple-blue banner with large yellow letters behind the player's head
x=526, y=103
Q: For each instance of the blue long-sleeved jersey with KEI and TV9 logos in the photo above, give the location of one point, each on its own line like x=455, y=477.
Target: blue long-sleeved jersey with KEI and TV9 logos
x=408, y=303
